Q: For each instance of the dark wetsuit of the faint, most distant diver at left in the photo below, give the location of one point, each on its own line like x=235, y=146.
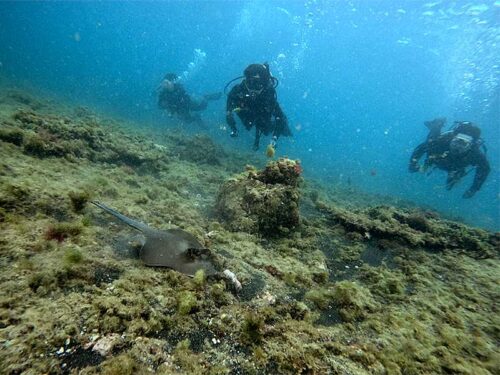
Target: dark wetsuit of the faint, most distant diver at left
x=178, y=102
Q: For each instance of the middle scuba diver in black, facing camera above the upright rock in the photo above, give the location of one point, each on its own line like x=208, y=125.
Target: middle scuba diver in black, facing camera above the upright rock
x=255, y=102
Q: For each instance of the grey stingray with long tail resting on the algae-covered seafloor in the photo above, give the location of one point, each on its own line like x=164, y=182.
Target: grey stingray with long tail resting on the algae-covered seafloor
x=172, y=248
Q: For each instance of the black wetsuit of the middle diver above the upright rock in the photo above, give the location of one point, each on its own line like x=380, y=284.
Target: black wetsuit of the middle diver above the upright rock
x=257, y=111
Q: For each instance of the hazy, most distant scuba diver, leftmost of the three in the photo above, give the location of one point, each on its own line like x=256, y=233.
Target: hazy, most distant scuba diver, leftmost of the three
x=173, y=97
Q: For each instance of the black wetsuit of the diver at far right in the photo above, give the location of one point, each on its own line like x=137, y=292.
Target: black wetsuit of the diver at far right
x=439, y=155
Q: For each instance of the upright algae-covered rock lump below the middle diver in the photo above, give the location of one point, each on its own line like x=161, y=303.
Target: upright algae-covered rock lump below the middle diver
x=264, y=202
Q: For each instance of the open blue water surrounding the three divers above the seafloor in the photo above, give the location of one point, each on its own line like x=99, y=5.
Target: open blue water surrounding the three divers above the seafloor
x=357, y=78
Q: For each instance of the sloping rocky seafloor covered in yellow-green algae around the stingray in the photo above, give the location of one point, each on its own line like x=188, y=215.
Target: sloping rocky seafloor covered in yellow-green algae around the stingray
x=330, y=283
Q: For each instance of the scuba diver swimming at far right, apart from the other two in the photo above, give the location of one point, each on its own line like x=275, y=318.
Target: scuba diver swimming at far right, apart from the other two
x=453, y=151
